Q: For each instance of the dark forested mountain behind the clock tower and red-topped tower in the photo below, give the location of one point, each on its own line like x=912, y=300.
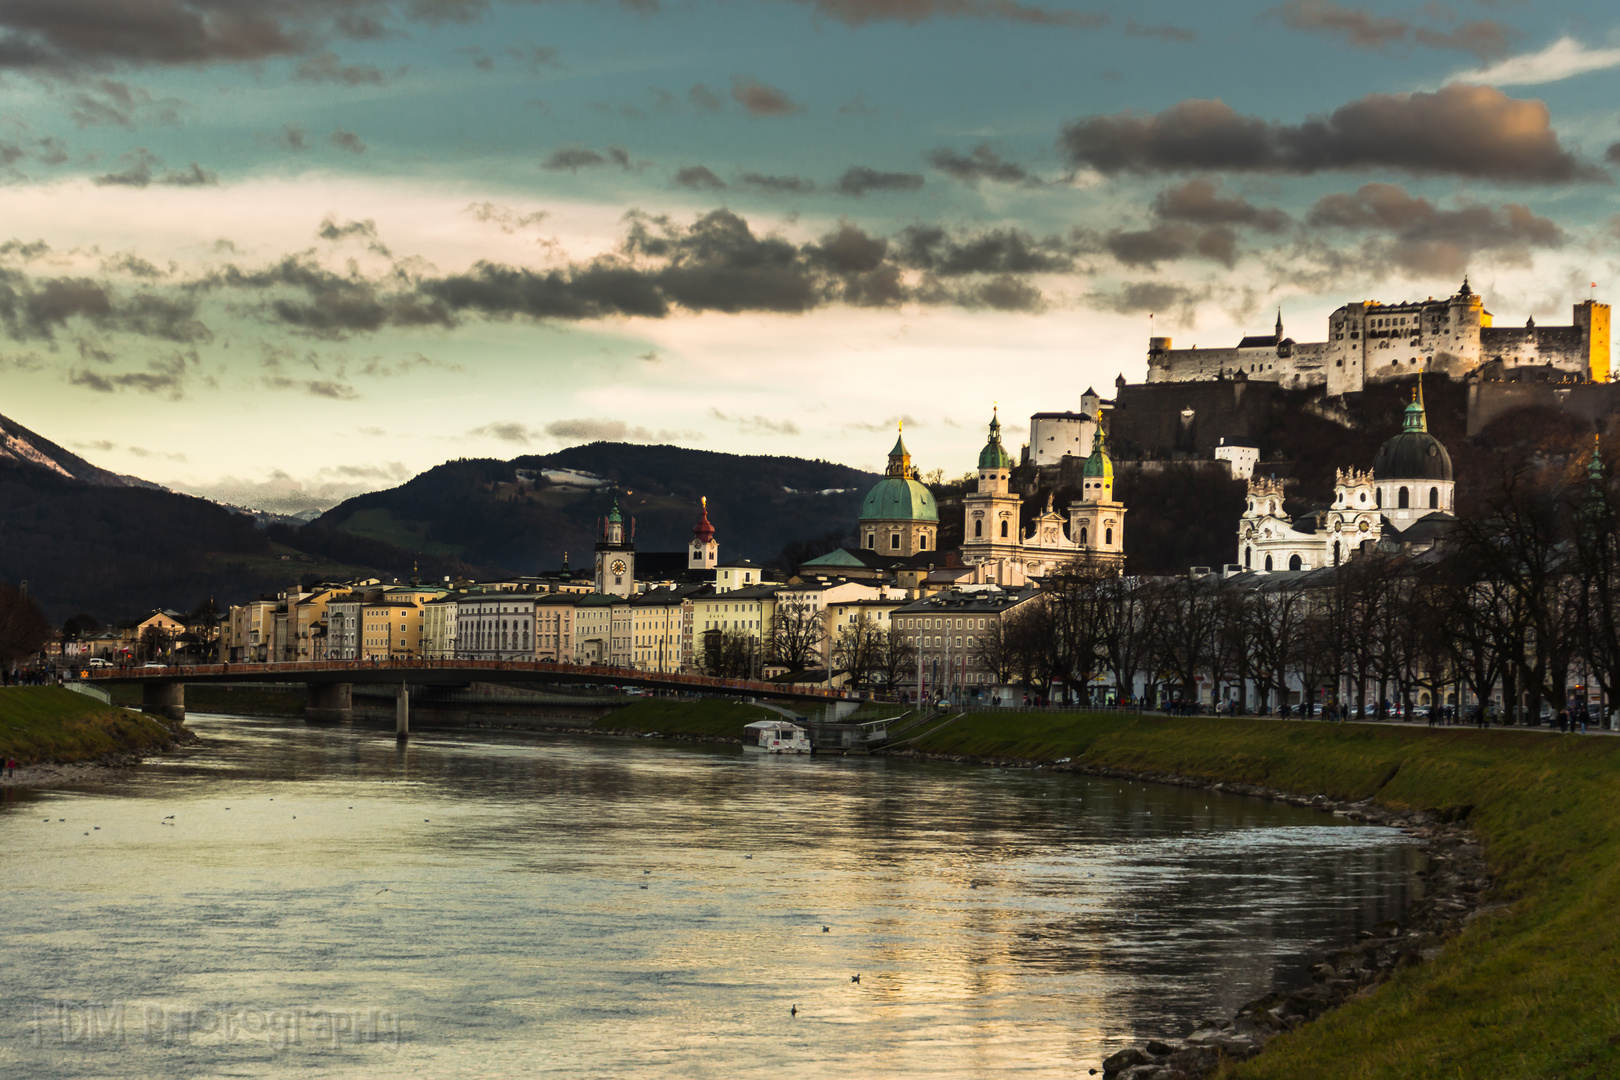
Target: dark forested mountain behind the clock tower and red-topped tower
x=527, y=514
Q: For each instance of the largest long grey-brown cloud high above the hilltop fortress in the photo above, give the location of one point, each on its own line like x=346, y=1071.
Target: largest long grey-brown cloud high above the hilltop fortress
x=1459, y=130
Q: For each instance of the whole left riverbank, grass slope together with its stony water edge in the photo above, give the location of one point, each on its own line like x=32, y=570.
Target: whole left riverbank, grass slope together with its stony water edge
x=62, y=738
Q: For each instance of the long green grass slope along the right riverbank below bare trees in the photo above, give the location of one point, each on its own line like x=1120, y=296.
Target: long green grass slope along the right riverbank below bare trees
x=1530, y=993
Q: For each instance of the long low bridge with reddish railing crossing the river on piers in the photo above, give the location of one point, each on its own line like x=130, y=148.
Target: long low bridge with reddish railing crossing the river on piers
x=331, y=682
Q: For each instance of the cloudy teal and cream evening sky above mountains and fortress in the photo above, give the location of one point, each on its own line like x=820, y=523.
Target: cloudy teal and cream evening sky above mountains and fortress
x=284, y=252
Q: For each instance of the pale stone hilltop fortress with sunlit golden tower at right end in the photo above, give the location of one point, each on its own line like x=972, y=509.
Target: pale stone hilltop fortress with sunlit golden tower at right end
x=1375, y=342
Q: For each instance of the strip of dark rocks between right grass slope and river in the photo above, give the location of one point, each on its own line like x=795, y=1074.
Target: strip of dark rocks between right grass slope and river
x=1451, y=895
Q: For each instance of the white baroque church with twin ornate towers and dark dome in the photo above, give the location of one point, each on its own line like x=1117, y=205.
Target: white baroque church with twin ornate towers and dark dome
x=1409, y=498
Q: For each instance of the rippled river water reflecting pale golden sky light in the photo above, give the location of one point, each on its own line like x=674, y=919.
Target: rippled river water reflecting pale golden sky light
x=318, y=903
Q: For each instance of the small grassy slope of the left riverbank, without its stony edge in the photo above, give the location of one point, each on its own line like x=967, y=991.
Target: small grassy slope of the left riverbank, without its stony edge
x=51, y=725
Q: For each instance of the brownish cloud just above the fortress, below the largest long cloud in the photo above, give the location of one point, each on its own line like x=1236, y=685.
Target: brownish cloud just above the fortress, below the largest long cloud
x=1423, y=239
